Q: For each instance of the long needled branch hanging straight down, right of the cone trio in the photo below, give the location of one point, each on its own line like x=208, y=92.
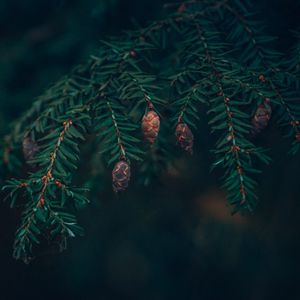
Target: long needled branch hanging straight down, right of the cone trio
x=234, y=148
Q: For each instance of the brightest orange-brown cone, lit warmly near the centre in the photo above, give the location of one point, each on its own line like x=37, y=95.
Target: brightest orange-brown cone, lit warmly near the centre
x=150, y=126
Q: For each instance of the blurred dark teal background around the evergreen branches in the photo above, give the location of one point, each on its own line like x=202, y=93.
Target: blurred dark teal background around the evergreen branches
x=174, y=239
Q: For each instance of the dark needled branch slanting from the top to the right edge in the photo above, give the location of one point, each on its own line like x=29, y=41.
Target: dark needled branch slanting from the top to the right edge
x=257, y=45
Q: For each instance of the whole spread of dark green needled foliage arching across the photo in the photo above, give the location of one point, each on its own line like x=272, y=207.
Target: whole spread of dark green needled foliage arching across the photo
x=206, y=56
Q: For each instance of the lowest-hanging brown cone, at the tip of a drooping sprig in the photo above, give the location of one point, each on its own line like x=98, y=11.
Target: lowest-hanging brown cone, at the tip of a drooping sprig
x=120, y=176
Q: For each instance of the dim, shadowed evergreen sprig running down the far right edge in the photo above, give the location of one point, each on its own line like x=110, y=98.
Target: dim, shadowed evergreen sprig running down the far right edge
x=265, y=63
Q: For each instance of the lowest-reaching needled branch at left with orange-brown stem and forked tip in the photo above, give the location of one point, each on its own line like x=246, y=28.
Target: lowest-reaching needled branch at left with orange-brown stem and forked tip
x=41, y=210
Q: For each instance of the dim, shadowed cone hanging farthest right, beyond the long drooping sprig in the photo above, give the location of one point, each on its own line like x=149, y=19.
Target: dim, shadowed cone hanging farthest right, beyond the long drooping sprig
x=261, y=118
